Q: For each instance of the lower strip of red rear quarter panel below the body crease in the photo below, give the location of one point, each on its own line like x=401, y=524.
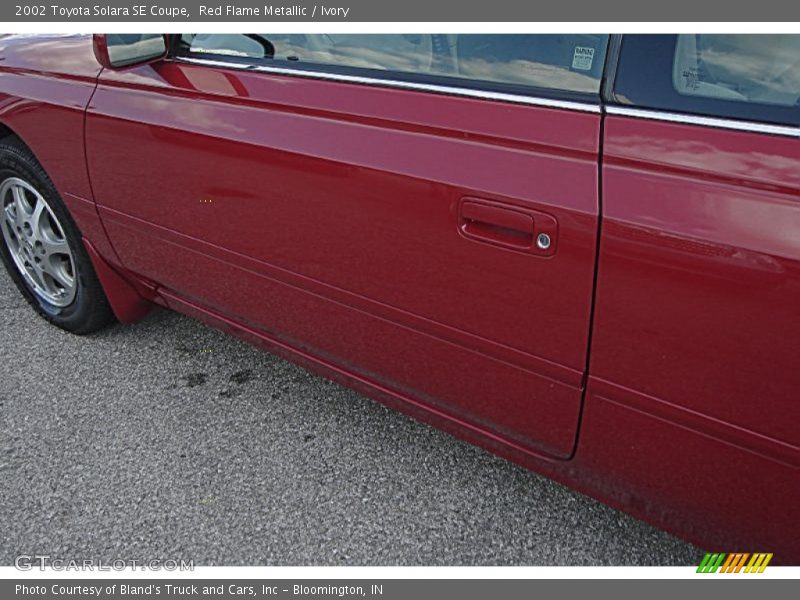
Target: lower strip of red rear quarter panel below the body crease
x=685, y=479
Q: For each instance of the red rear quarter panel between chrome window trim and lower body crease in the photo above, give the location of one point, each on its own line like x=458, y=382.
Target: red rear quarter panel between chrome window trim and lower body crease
x=699, y=282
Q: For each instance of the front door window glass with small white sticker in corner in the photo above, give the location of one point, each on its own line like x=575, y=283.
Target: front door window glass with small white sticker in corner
x=566, y=63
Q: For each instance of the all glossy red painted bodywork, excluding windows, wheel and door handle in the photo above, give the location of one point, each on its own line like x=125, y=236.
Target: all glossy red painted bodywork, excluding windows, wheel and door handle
x=321, y=220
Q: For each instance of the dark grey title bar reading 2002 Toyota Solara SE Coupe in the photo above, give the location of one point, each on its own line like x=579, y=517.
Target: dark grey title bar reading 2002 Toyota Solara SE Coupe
x=178, y=11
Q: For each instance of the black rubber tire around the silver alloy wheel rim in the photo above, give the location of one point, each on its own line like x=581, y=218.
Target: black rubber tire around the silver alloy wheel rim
x=89, y=310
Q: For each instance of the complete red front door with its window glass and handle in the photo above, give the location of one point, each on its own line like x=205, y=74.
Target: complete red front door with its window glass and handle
x=432, y=231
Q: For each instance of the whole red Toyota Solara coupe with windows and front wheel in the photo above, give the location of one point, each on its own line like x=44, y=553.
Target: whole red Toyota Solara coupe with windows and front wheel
x=581, y=252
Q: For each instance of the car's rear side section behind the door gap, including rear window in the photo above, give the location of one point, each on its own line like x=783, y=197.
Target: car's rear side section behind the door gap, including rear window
x=696, y=336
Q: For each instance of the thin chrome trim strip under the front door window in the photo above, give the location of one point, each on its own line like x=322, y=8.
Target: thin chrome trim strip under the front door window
x=396, y=83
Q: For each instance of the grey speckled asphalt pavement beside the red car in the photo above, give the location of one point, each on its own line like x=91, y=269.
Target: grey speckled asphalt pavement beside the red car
x=168, y=439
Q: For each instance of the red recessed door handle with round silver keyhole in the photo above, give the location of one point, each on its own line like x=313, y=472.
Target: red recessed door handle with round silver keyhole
x=507, y=226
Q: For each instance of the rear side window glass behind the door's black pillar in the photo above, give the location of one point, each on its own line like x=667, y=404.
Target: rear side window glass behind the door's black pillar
x=751, y=77
